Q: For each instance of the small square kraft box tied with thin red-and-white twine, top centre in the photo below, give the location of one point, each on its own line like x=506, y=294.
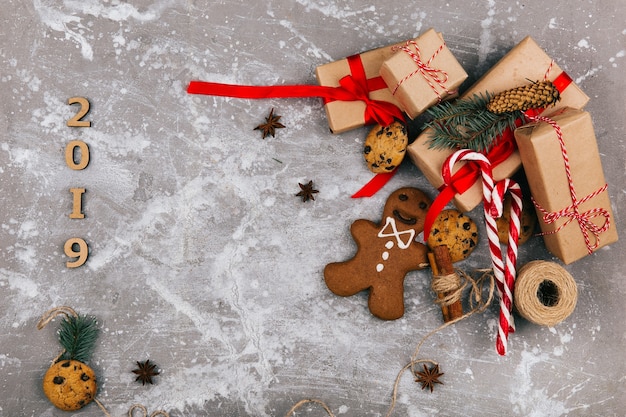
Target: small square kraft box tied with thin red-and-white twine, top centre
x=423, y=72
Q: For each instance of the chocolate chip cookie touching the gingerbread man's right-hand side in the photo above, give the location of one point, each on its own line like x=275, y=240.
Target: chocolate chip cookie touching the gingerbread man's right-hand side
x=455, y=230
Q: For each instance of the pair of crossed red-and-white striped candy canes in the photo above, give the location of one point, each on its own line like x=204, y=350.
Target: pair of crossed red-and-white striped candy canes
x=503, y=269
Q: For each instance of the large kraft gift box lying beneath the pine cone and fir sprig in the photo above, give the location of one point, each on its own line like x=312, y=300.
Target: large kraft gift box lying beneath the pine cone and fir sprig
x=526, y=61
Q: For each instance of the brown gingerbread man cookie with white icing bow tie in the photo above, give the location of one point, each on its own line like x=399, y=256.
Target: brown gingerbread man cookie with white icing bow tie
x=386, y=252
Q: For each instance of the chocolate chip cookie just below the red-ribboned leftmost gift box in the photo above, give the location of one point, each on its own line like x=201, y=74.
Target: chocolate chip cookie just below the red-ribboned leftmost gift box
x=385, y=147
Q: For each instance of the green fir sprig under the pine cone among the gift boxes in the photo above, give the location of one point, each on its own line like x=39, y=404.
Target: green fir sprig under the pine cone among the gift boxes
x=467, y=124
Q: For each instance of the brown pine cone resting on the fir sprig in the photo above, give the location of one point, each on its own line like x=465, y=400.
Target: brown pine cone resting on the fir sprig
x=533, y=96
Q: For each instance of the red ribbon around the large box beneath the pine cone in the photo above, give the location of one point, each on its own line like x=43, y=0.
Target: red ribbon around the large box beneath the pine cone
x=465, y=177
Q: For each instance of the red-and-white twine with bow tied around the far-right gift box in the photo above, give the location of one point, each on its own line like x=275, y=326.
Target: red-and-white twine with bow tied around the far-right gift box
x=572, y=212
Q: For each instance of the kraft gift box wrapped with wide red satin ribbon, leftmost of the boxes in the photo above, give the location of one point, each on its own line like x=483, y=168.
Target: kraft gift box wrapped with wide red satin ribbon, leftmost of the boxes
x=363, y=69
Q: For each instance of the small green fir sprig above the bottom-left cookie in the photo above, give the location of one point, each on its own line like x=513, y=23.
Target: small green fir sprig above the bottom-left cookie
x=78, y=337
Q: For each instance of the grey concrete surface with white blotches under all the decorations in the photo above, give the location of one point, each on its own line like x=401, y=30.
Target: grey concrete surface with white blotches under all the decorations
x=203, y=260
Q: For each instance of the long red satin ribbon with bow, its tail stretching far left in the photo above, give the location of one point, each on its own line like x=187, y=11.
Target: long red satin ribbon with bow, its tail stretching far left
x=352, y=87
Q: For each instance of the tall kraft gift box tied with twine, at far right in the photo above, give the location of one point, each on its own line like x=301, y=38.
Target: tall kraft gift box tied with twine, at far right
x=574, y=211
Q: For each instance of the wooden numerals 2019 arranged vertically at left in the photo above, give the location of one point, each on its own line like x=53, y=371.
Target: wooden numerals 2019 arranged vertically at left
x=76, y=247
